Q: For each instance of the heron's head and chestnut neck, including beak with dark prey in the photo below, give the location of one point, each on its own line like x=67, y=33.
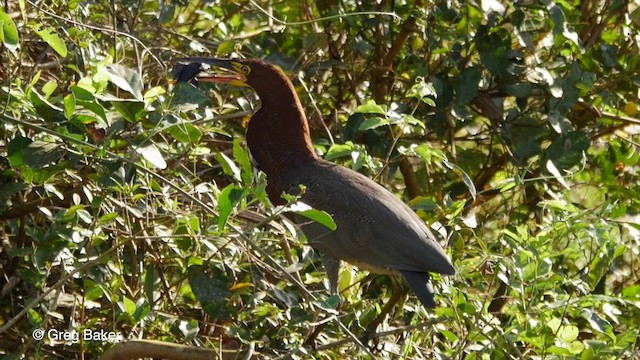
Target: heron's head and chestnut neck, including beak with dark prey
x=278, y=133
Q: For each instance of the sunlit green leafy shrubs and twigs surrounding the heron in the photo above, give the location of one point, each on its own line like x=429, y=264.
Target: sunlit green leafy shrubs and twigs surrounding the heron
x=129, y=205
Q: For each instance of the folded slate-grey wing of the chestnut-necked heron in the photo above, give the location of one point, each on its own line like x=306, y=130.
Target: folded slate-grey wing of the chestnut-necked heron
x=375, y=230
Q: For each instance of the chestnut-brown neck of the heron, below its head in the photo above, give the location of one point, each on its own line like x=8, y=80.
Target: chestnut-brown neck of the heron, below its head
x=278, y=134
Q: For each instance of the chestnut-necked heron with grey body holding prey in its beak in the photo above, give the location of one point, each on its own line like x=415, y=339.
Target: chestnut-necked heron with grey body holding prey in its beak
x=375, y=230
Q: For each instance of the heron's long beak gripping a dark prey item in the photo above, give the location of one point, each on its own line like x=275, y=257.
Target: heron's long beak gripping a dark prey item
x=200, y=69
